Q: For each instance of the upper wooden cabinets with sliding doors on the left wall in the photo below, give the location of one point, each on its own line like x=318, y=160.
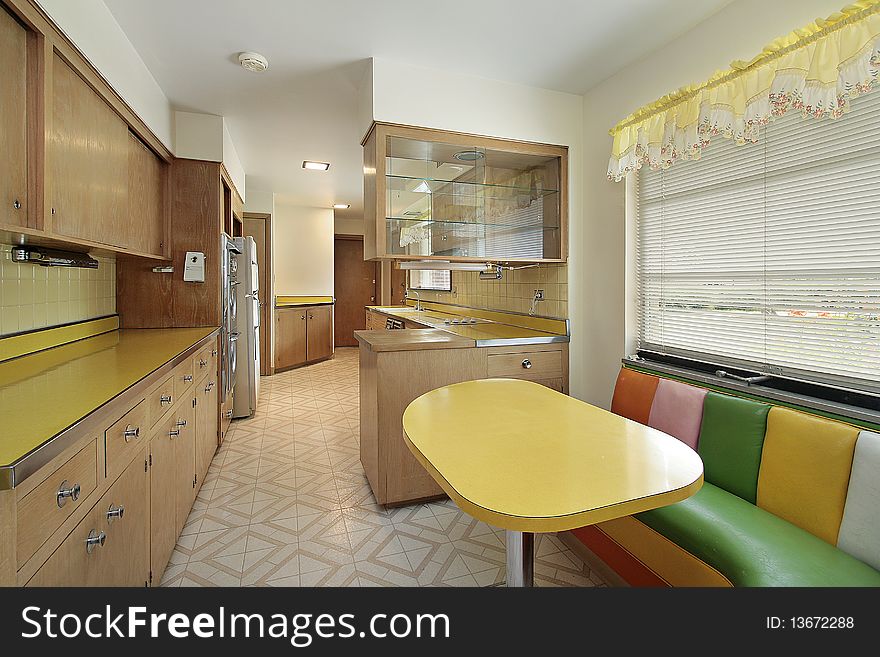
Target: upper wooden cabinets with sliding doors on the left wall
x=78, y=166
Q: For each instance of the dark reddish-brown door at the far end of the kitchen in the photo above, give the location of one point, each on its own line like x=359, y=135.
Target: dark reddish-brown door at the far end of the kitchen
x=354, y=287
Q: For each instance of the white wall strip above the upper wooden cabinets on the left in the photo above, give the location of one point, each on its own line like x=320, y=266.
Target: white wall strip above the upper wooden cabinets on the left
x=91, y=26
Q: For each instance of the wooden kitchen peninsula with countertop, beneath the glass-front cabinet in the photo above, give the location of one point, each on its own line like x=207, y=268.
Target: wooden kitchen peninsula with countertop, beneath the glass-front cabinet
x=440, y=346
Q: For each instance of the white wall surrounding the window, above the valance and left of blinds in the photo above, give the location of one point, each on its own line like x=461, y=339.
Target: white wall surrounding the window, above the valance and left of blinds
x=739, y=31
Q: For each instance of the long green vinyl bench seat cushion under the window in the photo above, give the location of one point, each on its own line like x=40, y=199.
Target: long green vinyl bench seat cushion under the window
x=752, y=547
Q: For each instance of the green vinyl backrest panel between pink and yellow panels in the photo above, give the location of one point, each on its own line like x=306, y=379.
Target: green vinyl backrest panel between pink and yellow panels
x=731, y=439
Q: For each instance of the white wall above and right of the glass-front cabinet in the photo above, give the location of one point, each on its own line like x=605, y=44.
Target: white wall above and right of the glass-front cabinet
x=438, y=99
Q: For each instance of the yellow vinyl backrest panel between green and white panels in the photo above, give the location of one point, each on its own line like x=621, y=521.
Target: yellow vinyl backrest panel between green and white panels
x=805, y=468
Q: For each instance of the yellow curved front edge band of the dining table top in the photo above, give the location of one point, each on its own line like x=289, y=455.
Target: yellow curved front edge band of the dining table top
x=550, y=523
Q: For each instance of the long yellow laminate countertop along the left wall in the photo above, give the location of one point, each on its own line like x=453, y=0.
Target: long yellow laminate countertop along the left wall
x=43, y=394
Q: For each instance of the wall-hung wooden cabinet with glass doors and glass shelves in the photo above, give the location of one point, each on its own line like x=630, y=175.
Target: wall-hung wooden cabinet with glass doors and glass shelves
x=436, y=195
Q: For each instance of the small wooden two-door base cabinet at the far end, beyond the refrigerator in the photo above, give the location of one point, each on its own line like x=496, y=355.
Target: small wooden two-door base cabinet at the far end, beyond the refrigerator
x=303, y=334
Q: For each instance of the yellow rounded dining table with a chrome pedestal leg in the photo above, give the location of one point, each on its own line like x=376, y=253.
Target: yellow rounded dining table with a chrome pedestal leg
x=525, y=458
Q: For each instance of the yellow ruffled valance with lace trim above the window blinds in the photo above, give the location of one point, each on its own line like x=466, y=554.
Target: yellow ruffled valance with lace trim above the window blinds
x=817, y=69
